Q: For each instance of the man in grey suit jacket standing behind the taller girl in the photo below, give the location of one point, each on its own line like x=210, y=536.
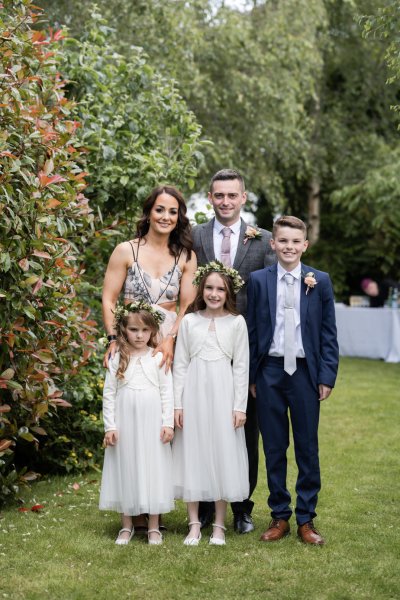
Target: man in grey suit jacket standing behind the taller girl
x=229, y=239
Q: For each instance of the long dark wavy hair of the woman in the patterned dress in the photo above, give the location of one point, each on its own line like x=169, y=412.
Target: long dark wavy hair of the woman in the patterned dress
x=180, y=237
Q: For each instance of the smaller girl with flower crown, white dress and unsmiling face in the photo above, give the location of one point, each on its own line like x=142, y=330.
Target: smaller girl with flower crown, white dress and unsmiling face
x=139, y=424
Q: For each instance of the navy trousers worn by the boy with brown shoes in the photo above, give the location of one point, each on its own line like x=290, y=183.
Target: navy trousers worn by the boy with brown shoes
x=278, y=394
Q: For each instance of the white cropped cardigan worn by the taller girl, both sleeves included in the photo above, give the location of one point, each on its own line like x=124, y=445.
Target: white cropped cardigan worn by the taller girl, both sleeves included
x=232, y=336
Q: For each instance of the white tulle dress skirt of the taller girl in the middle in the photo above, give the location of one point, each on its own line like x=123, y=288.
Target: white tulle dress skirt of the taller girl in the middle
x=209, y=456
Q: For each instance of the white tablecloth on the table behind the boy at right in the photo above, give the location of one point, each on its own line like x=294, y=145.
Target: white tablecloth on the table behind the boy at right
x=369, y=332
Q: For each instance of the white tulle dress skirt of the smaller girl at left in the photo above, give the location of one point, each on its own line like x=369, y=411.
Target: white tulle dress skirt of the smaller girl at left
x=137, y=472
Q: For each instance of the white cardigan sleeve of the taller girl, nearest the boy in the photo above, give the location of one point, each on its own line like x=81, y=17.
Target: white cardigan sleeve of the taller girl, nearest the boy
x=240, y=364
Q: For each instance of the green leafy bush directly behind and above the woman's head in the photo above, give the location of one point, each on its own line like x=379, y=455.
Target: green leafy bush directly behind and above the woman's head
x=135, y=126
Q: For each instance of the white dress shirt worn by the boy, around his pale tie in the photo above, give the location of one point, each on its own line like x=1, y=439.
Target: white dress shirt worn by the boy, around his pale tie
x=278, y=342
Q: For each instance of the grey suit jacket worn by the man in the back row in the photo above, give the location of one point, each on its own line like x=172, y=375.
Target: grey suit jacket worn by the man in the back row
x=253, y=255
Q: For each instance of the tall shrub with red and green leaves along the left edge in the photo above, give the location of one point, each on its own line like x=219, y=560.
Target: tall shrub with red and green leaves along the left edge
x=46, y=333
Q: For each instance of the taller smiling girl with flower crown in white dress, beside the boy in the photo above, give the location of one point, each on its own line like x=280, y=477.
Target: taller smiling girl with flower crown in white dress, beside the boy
x=211, y=366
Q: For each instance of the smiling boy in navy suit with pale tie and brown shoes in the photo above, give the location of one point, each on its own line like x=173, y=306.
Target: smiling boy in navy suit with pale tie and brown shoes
x=293, y=366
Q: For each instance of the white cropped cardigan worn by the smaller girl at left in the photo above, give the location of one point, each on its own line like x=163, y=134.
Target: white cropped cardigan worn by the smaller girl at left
x=154, y=374
